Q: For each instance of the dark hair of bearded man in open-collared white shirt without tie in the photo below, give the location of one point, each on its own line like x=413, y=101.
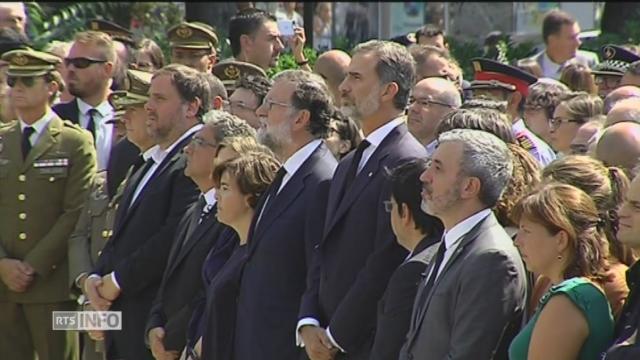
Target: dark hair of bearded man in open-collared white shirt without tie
x=190, y=83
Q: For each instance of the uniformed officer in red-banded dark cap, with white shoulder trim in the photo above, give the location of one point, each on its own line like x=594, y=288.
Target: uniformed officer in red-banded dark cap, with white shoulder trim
x=502, y=82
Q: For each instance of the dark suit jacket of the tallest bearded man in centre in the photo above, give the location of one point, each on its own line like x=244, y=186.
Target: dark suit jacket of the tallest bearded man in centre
x=358, y=252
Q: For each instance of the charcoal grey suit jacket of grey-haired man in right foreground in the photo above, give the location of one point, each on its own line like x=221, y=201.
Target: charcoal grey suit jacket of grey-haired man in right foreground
x=477, y=301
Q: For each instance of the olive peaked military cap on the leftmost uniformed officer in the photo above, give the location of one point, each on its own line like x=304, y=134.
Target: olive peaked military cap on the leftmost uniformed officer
x=28, y=62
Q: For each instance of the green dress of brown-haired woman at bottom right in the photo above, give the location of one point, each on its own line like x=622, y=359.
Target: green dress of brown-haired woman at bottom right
x=593, y=304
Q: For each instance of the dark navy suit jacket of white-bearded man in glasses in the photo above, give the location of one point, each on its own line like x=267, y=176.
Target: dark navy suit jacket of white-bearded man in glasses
x=280, y=248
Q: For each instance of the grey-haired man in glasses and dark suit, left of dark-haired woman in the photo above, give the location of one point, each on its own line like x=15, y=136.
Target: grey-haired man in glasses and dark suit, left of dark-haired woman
x=198, y=232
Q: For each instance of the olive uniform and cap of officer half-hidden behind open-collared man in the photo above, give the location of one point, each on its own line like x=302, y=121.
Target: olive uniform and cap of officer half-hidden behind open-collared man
x=95, y=224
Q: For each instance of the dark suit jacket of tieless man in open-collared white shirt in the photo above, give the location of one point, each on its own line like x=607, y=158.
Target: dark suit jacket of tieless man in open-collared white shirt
x=139, y=247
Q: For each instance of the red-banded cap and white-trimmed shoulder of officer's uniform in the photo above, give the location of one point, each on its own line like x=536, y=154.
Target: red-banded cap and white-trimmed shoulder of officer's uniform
x=491, y=74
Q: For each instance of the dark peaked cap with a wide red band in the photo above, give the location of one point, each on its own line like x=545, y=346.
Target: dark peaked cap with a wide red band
x=491, y=74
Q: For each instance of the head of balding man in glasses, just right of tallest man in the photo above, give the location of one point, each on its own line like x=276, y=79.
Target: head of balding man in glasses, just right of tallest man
x=432, y=99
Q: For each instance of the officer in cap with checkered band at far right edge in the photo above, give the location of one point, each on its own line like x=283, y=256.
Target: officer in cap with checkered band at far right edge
x=608, y=73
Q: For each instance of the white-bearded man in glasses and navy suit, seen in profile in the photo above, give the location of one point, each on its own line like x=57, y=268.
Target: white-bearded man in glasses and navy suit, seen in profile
x=296, y=111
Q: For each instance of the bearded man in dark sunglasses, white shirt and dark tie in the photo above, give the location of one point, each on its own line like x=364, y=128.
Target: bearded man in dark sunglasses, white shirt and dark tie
x=90, y=67
